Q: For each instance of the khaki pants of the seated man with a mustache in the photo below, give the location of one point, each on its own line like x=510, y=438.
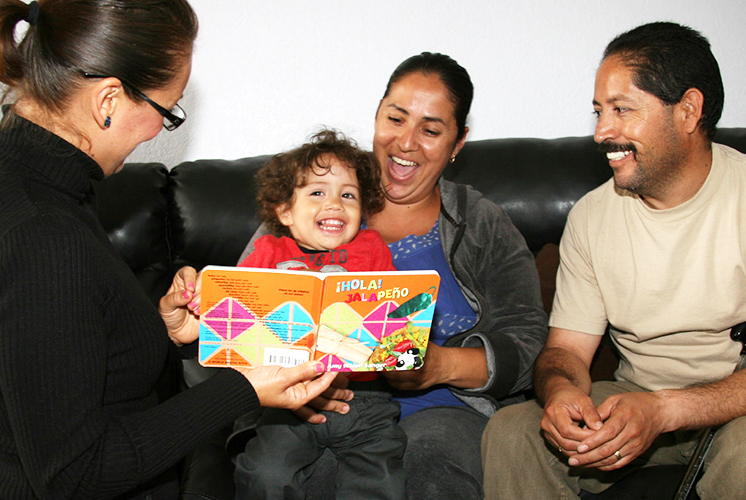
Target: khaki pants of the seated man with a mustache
x=518, y=463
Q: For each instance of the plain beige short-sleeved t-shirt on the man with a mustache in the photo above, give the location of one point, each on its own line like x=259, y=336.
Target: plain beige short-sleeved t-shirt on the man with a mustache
x=671, y=283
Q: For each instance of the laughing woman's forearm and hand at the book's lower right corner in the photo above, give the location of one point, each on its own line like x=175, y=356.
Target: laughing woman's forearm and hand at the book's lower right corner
x=463, y=367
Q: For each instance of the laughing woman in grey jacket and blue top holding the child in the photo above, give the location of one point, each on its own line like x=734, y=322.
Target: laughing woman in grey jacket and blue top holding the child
x=489, y=320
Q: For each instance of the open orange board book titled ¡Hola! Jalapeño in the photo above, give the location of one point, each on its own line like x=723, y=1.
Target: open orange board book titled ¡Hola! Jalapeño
x=364, y=321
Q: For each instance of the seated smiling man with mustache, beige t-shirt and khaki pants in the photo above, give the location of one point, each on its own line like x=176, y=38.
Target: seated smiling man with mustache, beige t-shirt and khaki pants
x=657, y=255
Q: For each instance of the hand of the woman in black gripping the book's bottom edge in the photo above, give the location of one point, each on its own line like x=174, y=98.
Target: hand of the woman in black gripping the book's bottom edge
x=290, y=388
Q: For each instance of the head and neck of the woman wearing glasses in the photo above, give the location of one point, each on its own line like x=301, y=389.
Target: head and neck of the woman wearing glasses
x=48, y=92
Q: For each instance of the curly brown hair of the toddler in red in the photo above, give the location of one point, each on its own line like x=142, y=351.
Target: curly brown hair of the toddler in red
x=279, y=177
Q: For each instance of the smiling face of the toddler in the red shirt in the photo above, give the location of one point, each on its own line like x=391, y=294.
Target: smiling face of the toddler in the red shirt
x=326, y=212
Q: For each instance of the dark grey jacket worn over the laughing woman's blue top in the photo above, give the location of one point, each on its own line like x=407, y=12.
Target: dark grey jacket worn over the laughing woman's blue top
x=496, y=272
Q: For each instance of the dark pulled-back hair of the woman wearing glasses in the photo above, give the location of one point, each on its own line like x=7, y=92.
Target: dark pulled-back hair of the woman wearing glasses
x=143, y=42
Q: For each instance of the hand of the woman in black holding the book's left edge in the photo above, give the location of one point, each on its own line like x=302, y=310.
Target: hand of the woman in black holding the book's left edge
x=179, y=308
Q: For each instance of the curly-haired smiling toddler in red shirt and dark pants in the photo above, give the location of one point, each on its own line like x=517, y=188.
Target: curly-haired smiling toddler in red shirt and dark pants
x=312, y=200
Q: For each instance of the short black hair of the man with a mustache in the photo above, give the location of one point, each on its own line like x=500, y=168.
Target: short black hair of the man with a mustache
x=668, y=59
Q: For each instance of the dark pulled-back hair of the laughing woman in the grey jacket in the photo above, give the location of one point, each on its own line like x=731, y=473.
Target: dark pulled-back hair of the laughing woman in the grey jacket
x=452, y=74
